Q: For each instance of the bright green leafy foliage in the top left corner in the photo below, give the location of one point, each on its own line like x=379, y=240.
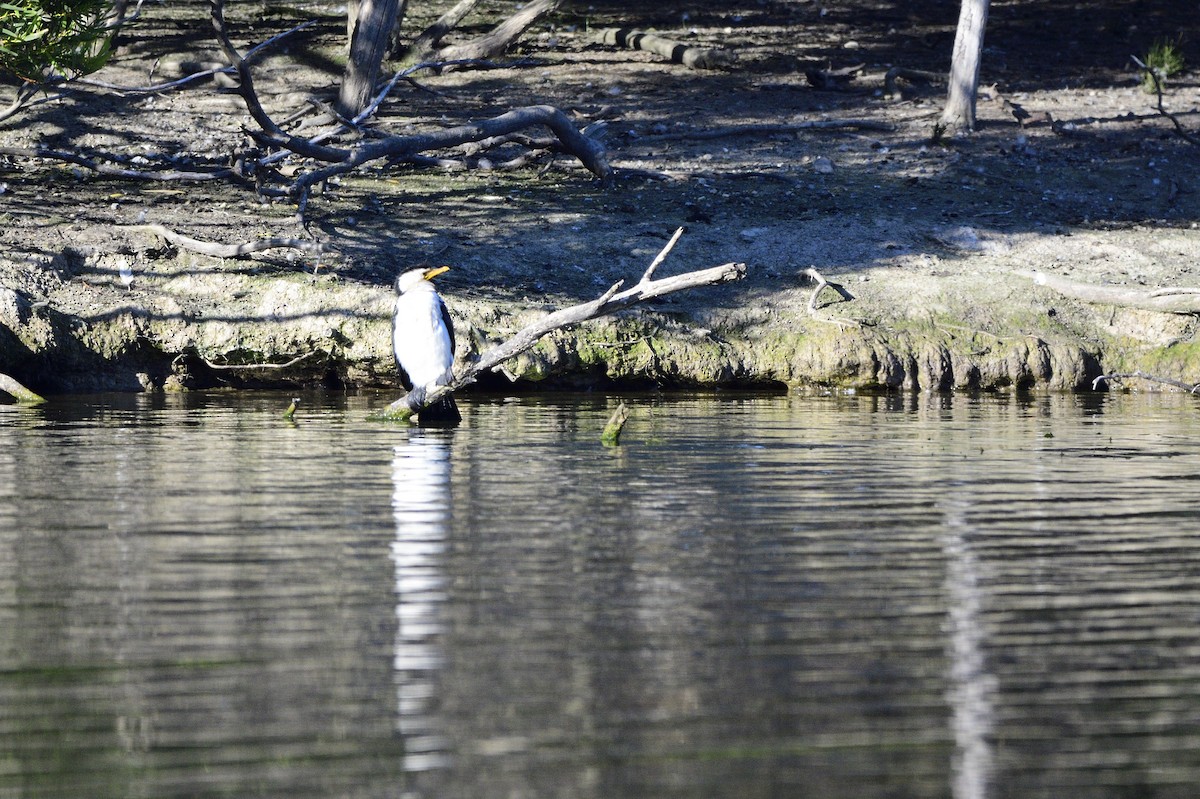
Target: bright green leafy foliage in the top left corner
x=69, y=38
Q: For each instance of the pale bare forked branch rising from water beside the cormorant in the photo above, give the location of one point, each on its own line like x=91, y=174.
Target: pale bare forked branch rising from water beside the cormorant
x=609, y=303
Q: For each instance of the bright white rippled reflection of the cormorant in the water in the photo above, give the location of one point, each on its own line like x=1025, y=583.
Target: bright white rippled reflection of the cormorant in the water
x=421, y=504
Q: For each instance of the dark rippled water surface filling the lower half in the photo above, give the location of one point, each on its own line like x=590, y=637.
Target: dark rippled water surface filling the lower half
x=753, y=597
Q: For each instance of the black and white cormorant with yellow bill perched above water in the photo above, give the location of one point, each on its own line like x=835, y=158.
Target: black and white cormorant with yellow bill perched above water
x=423, y=343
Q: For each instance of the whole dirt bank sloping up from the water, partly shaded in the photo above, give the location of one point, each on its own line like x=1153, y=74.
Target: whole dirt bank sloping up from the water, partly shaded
x=941, y=248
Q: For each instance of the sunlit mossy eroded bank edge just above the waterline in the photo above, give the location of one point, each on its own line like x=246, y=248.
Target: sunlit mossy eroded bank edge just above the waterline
x=921, y=322
